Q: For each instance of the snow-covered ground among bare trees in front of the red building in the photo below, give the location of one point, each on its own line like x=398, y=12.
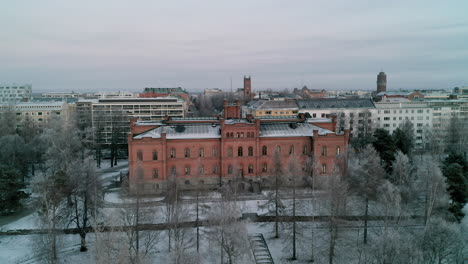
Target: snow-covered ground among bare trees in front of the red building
x=22, y=248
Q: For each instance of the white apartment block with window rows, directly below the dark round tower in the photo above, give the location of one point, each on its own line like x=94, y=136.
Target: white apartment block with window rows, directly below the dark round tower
x=391, y=114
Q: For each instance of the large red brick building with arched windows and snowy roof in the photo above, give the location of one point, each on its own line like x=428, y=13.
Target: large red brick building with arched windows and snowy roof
x=213, y=151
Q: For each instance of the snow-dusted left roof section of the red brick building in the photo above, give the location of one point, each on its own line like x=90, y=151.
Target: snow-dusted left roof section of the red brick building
x=192, y=131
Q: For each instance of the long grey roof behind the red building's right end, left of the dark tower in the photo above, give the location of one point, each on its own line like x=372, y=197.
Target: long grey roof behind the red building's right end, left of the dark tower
x=327, y=103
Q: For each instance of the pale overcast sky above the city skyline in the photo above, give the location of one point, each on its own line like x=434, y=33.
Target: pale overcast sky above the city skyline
x=128, y=45
